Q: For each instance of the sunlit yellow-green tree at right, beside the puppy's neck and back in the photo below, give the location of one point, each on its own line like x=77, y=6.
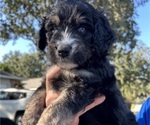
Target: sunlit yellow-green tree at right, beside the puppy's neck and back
x=133, y=73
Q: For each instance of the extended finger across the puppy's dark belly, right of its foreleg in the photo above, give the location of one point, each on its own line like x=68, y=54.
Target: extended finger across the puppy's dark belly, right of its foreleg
x=96, y=102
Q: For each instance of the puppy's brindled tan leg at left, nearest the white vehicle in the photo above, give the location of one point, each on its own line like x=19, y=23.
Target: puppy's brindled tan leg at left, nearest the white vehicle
x=34, y=107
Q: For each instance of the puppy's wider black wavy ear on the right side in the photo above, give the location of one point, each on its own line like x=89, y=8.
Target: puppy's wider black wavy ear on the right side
x=103, y=35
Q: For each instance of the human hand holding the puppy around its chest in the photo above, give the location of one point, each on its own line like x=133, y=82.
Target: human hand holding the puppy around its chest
x=52, y=95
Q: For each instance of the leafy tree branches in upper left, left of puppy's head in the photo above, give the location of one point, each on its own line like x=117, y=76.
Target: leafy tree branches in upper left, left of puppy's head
x=21, y=18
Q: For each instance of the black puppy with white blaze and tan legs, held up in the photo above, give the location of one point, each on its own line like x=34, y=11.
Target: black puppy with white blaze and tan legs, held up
x=78, y=38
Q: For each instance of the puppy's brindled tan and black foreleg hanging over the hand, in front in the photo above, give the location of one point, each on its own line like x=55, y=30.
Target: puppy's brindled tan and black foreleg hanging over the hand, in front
x=66, y=106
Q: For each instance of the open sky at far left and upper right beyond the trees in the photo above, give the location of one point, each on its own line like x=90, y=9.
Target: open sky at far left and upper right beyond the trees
x=143, y=21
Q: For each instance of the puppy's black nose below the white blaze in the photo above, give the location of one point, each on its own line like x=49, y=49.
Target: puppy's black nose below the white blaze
x=64, y=50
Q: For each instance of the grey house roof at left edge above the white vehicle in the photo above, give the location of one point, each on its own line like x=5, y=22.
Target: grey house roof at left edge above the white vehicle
x=7, y=75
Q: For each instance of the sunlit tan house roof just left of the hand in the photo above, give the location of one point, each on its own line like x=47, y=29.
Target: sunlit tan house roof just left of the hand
x=32, y=83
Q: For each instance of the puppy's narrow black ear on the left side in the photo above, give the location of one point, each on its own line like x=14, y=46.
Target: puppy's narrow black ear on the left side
x=42, y=42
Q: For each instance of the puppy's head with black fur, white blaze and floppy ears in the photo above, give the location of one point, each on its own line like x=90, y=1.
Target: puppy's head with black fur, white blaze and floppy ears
x=74, y=32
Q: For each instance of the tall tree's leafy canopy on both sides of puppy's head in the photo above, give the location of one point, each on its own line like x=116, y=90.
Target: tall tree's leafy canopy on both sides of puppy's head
x=22, y=18
